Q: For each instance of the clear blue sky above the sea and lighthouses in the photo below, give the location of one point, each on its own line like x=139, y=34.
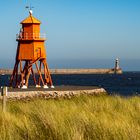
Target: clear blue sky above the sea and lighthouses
x=81, y=33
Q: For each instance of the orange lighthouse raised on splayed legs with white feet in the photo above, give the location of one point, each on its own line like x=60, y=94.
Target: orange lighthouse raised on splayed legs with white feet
x=31, y=51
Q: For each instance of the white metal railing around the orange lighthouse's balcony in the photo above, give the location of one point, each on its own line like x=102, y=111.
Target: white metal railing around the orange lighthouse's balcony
x=30, y=36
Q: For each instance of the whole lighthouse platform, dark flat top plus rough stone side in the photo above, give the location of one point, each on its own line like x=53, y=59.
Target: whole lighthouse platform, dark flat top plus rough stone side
x=57, y=92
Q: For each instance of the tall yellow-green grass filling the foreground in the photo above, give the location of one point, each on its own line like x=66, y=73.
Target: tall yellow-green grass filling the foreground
x=79, y=118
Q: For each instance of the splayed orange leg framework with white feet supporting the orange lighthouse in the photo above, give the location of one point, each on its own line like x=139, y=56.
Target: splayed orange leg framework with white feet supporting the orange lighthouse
x=25, y=72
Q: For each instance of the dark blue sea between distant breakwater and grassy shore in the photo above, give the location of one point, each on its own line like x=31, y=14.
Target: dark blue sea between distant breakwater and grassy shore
x=125, y=84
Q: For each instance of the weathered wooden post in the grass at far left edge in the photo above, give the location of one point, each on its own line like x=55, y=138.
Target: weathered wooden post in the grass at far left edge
x=4, y=94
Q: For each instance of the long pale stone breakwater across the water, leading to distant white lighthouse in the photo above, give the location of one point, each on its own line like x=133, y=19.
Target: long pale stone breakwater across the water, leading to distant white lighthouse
x=74, y=71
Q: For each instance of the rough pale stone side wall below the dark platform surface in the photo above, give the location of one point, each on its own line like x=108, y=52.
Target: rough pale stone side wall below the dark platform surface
x=52, y=94
